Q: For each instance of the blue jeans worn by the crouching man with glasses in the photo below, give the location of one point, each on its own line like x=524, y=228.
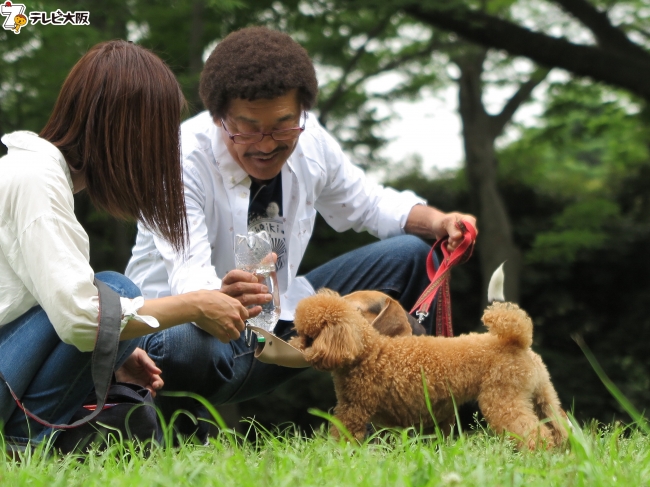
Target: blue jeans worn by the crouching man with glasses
x=192, y=360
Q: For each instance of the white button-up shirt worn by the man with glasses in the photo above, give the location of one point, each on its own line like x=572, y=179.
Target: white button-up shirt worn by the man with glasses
x=317, y=177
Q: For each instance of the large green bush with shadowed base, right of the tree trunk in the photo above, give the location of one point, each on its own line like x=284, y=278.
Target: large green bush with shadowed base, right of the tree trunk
x=576, y=189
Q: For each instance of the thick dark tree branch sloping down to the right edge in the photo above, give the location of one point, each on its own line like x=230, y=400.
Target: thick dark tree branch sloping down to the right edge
x=625, y=70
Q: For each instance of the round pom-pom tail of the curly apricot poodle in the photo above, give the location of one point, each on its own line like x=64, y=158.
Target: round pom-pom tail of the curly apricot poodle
x=510, y=323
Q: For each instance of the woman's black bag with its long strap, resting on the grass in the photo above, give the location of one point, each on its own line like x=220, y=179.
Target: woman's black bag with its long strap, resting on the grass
x=102, y=364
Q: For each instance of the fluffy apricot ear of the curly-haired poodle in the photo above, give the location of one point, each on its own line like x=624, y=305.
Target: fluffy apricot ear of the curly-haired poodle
x=337, y=345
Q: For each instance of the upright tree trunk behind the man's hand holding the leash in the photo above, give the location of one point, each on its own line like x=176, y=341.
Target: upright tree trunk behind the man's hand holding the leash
x=495, y=242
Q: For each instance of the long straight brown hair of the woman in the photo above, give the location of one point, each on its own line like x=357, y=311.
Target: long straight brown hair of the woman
x=116, y=121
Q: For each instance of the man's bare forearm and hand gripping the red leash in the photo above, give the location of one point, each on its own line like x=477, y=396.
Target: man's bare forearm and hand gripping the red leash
x=431, y=223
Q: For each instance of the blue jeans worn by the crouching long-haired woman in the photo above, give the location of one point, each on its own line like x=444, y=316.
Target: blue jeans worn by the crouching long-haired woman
x=50, y=377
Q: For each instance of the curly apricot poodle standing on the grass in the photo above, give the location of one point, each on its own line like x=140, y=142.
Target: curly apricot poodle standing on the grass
x=379, y=379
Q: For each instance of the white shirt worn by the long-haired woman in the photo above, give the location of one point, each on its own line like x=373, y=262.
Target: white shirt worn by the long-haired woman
x=44, y=251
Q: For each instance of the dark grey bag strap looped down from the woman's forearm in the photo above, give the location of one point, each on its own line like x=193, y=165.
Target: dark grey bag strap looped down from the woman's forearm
x=103, y=359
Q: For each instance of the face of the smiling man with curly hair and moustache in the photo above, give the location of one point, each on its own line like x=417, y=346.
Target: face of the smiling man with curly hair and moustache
x=264, y=159
